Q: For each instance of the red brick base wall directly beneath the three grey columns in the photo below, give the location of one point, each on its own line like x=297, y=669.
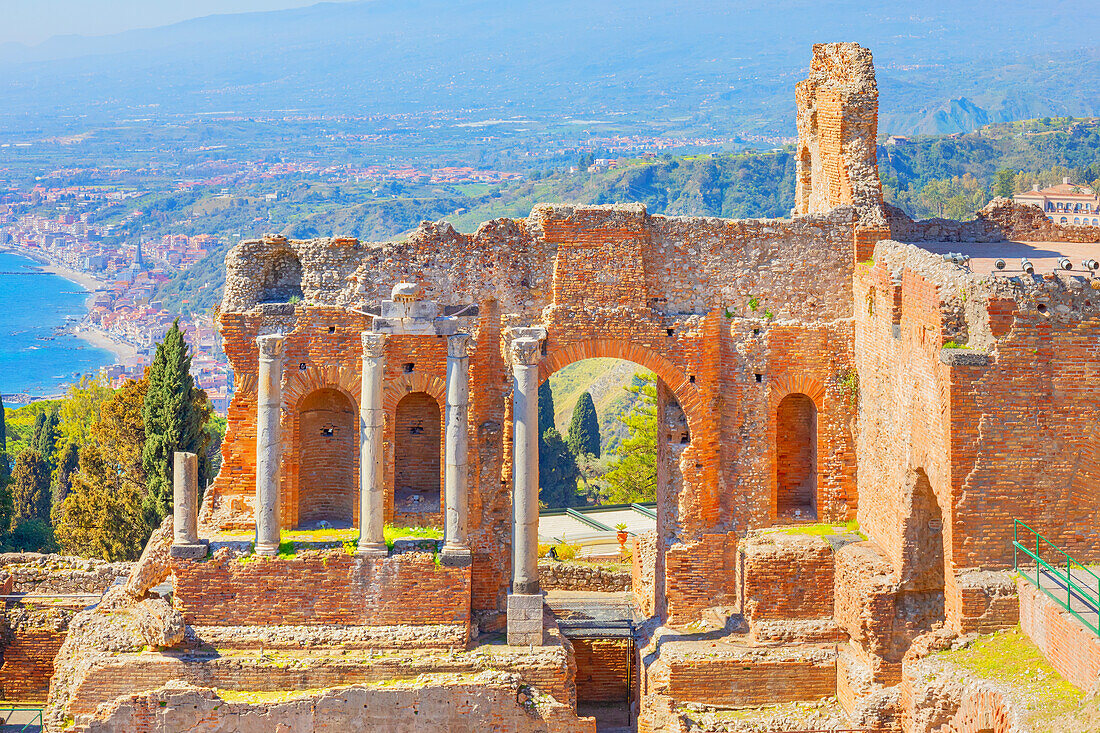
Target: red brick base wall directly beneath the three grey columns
x=321, y=589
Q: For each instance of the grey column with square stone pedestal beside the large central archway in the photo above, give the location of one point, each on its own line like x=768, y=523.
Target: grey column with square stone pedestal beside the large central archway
x=525, y=603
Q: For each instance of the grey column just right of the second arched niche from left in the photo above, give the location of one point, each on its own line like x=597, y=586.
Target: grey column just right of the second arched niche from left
x=456, y=549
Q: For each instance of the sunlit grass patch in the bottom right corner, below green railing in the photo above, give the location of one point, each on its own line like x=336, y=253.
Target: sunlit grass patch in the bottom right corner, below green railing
x=1010, y=658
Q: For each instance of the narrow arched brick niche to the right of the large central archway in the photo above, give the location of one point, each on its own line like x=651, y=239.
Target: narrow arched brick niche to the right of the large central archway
x=797, y=458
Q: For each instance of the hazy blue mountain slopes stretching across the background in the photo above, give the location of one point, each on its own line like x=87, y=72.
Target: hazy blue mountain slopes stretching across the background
x=698, y=65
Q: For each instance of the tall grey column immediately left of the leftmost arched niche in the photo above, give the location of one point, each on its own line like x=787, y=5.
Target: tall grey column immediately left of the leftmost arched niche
x=269, y=443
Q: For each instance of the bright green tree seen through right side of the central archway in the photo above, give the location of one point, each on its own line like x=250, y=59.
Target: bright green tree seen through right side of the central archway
x=633, y=474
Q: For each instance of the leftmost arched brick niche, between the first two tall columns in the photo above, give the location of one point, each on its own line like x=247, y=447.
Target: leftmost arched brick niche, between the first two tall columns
x=328, y=460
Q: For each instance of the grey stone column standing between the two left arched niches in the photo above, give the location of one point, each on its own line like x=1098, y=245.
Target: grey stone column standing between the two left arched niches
x=372, y=496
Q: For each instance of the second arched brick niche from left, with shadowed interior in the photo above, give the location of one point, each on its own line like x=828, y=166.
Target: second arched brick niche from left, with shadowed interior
x=419, y=462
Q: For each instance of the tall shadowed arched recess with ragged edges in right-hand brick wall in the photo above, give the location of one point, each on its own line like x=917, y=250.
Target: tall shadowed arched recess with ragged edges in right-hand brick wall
x=922, y=557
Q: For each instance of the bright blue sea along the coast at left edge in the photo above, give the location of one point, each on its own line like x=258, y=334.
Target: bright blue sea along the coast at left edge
x=31, y=309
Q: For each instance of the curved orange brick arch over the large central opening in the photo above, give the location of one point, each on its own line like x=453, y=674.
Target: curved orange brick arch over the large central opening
x=674, y=378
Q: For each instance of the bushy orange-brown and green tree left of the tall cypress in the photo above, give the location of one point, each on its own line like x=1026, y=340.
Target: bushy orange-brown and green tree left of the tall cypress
x=103, y=516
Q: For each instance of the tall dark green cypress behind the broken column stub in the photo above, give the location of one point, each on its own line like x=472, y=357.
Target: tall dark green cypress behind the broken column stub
x=173, y=415
